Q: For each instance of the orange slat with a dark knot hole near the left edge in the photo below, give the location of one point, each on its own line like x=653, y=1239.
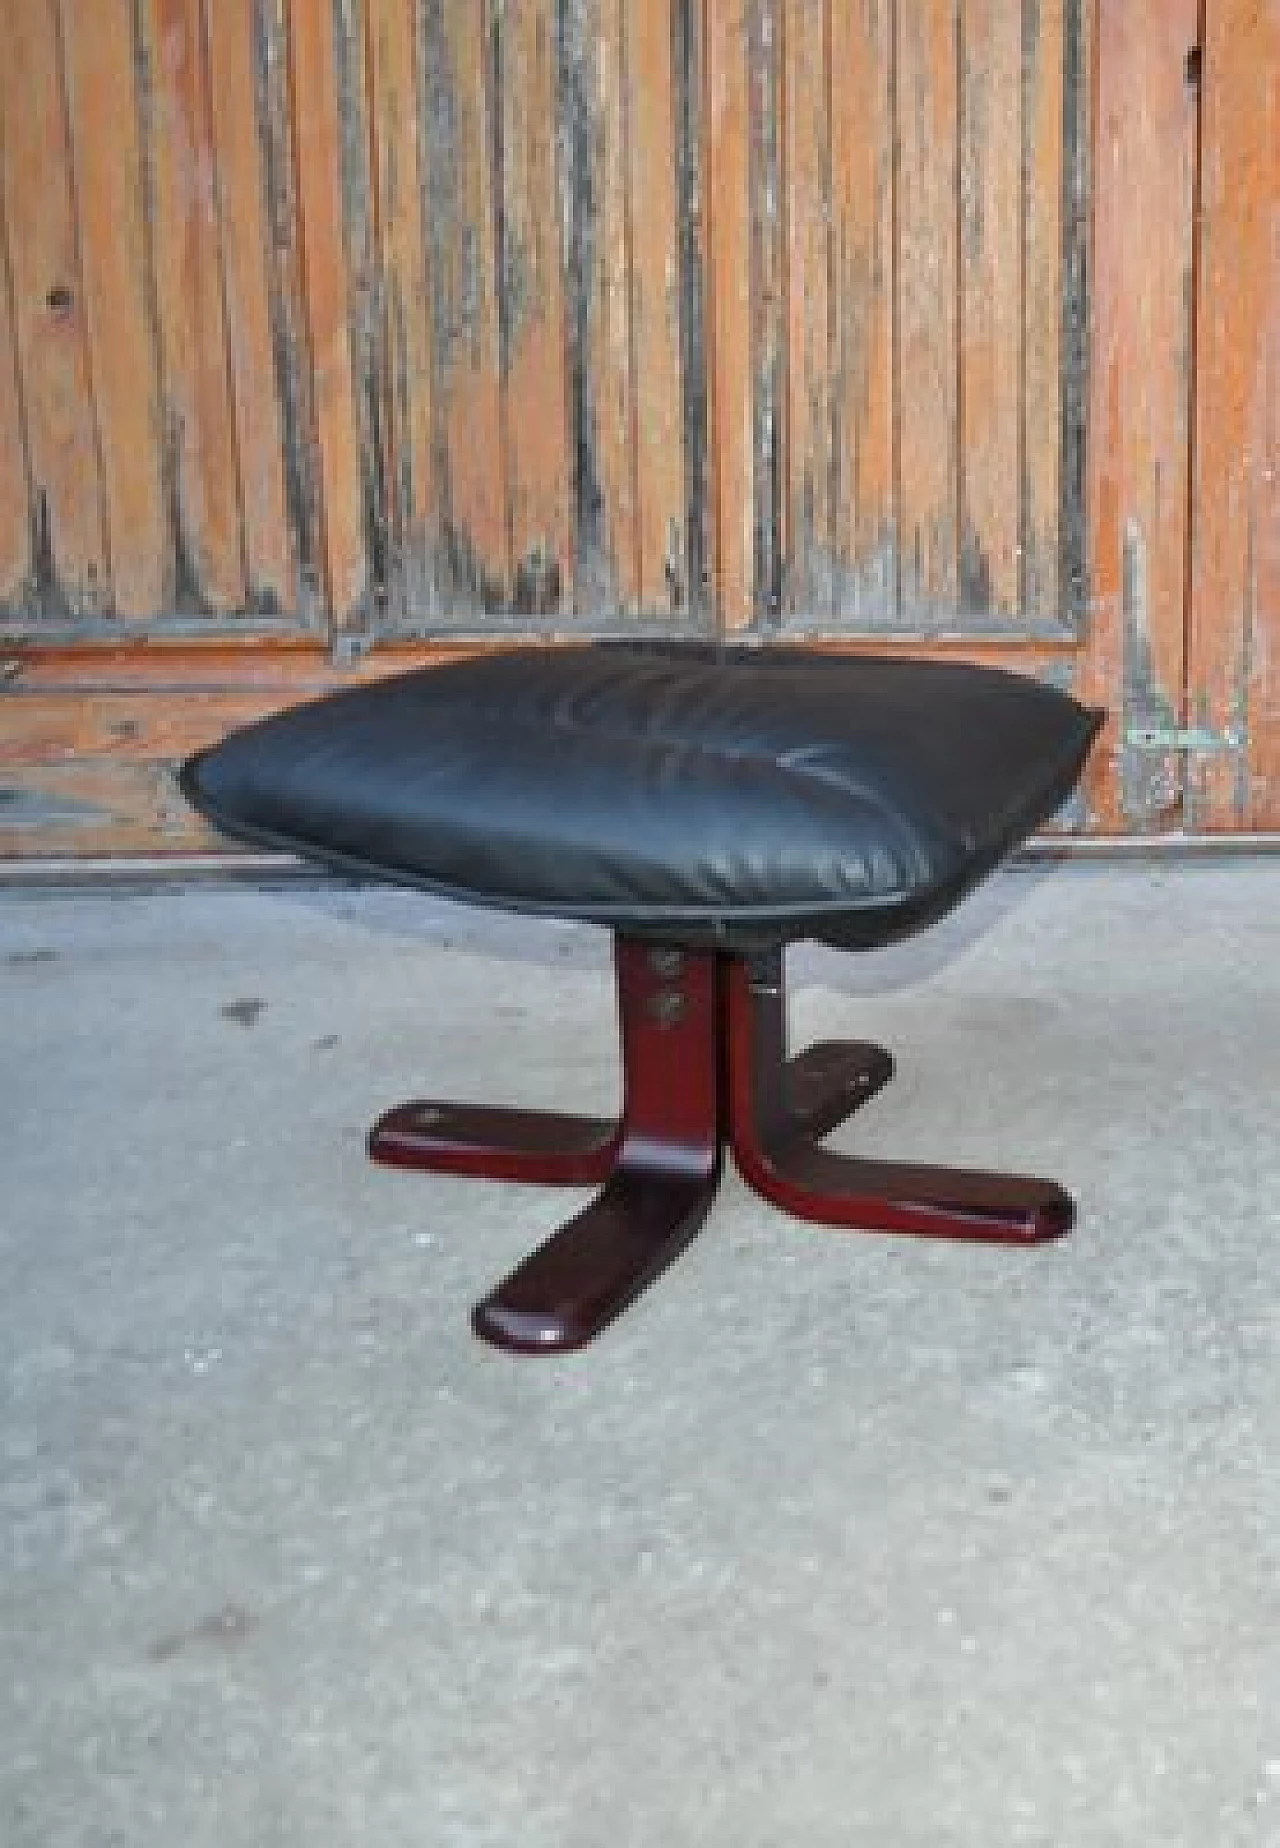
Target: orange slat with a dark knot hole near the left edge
x=71, y=561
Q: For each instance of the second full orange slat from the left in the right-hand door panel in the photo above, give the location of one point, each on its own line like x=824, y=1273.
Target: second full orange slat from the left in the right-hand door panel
x=863, y=310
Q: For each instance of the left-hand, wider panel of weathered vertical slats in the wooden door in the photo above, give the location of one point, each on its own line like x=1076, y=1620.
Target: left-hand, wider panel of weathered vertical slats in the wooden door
x=367, y=317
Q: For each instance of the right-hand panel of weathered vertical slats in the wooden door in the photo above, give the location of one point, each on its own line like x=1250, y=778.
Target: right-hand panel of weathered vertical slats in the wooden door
x=899, y=313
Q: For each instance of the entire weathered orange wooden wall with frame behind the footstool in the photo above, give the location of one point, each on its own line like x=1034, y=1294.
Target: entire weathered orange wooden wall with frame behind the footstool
x=934, y=324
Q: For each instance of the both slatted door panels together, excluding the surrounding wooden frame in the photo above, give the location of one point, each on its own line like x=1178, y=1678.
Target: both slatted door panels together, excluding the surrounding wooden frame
x=396, y=315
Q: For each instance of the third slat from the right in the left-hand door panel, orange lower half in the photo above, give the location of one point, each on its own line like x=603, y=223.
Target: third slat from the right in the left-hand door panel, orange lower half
x=533, y=313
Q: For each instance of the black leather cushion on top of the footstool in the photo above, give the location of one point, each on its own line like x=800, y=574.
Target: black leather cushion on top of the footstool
x=712, y=797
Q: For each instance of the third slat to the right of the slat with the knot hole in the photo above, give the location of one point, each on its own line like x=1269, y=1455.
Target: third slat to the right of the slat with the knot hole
x=237, y=132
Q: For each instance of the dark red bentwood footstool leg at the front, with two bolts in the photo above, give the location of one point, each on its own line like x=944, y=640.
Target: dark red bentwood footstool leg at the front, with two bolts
x=666, y=1173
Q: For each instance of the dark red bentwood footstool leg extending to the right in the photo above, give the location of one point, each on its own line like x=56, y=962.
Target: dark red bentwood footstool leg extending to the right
x=779, y=1152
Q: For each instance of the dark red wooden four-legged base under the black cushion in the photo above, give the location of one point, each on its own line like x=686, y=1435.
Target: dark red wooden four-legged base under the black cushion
x=705, y=1069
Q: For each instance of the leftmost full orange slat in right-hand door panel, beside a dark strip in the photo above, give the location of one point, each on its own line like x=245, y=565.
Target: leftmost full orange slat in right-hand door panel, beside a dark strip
x=808, y=121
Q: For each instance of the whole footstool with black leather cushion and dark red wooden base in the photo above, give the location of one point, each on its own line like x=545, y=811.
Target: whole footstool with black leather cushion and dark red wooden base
x=708, y=807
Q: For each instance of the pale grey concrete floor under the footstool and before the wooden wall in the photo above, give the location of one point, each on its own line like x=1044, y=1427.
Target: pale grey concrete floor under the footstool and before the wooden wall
x=832, y=1540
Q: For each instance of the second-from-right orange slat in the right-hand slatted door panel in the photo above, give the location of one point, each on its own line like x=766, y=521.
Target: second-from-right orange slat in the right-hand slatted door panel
x=991, y=276
